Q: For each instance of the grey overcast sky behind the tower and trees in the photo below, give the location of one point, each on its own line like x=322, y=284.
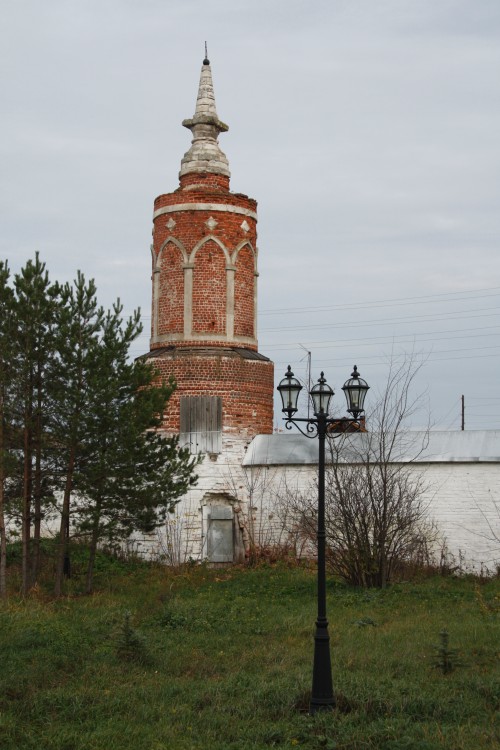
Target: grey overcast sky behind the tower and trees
x=367, y=130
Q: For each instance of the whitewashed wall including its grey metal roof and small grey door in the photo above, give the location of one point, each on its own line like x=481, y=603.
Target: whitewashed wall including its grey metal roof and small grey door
x=238, y=499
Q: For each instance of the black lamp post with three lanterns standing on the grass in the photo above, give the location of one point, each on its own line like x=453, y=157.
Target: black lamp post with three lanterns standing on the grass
x=355, y=391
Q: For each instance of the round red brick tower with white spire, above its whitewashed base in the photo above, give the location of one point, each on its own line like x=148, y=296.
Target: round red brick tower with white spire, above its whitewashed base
x=204, y=321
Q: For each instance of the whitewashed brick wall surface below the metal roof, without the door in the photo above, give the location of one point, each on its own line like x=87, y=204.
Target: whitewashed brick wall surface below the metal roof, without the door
x=463, y=500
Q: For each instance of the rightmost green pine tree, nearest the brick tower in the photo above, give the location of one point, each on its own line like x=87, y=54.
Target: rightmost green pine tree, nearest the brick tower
x=130, y=475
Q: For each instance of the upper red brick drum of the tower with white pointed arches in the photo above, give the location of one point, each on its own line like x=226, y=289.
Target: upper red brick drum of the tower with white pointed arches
x=214, y=242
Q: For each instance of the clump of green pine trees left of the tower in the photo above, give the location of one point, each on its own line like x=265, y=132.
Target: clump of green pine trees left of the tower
x=79, y=420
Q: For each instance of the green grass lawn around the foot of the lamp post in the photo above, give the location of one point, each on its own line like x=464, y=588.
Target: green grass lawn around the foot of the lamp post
x=221, y=660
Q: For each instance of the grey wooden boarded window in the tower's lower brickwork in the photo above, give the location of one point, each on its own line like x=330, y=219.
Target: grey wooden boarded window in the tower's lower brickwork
x=201, y=423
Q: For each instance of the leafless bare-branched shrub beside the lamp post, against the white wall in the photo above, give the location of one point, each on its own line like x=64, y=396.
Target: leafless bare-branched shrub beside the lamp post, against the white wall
x=375, y=507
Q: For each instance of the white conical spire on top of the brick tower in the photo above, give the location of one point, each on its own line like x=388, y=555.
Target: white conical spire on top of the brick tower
x=205, y=154
